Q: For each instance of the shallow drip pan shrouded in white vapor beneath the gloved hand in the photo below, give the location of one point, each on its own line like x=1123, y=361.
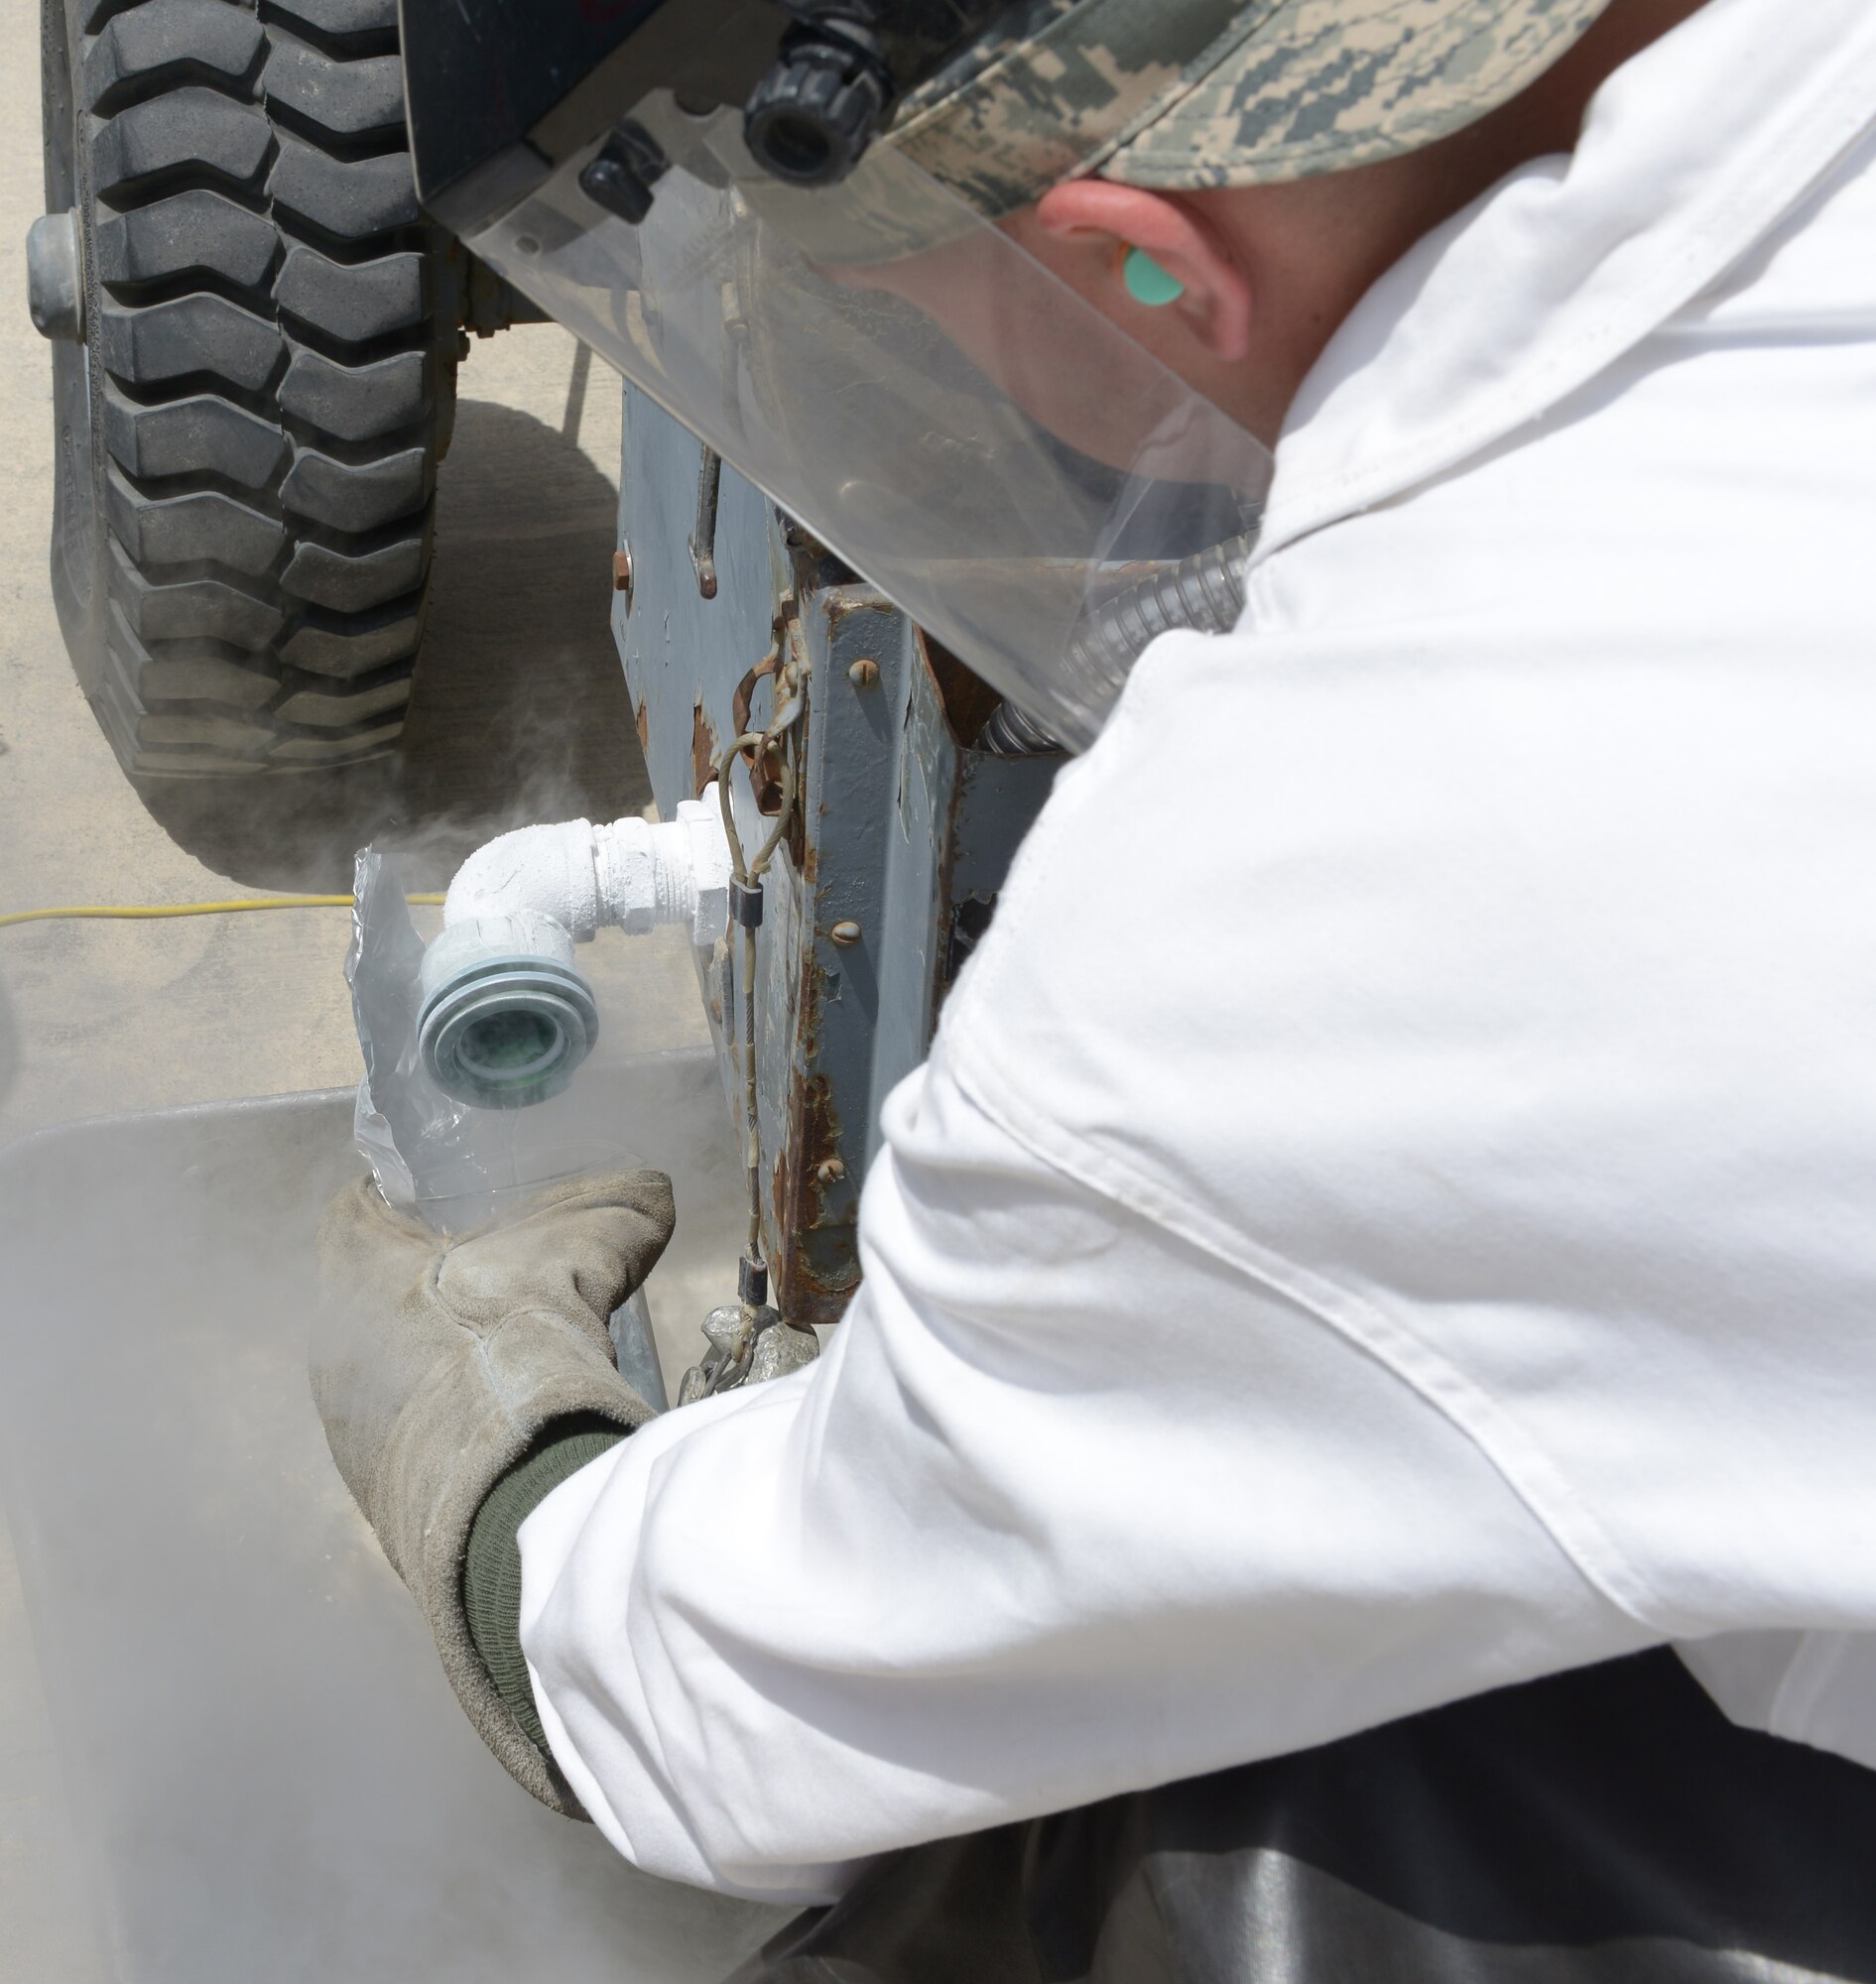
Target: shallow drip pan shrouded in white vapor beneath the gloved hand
x=267, y=1769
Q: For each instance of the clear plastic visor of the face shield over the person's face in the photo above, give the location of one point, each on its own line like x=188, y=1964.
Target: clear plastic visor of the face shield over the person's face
x=921, y=394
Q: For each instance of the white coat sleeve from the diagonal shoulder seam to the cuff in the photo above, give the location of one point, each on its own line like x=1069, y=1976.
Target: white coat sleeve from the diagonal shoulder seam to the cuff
x=1068, y=1509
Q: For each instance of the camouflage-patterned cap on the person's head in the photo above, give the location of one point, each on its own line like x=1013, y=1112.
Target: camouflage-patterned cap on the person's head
x=1187, y=94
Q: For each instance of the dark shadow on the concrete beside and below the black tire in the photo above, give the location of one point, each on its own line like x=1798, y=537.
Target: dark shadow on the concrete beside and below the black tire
x=521, y=709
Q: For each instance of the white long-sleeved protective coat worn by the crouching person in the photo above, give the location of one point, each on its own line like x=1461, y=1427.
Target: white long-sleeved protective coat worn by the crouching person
x=1393, y=1203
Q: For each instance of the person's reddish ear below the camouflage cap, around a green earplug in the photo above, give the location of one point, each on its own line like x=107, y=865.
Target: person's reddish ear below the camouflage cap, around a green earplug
x=1215, y=293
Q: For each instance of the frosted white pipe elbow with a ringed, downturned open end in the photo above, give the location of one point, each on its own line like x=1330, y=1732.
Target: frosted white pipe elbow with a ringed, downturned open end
x=507, y=1019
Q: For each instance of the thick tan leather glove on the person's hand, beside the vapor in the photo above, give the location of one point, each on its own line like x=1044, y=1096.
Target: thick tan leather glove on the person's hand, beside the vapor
x=437, y=1362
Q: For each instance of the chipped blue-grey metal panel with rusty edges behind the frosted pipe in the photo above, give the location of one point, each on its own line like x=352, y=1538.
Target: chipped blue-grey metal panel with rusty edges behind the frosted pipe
x=901, y=842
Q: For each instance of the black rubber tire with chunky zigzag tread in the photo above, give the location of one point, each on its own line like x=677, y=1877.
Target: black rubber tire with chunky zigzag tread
x=249, y=437
